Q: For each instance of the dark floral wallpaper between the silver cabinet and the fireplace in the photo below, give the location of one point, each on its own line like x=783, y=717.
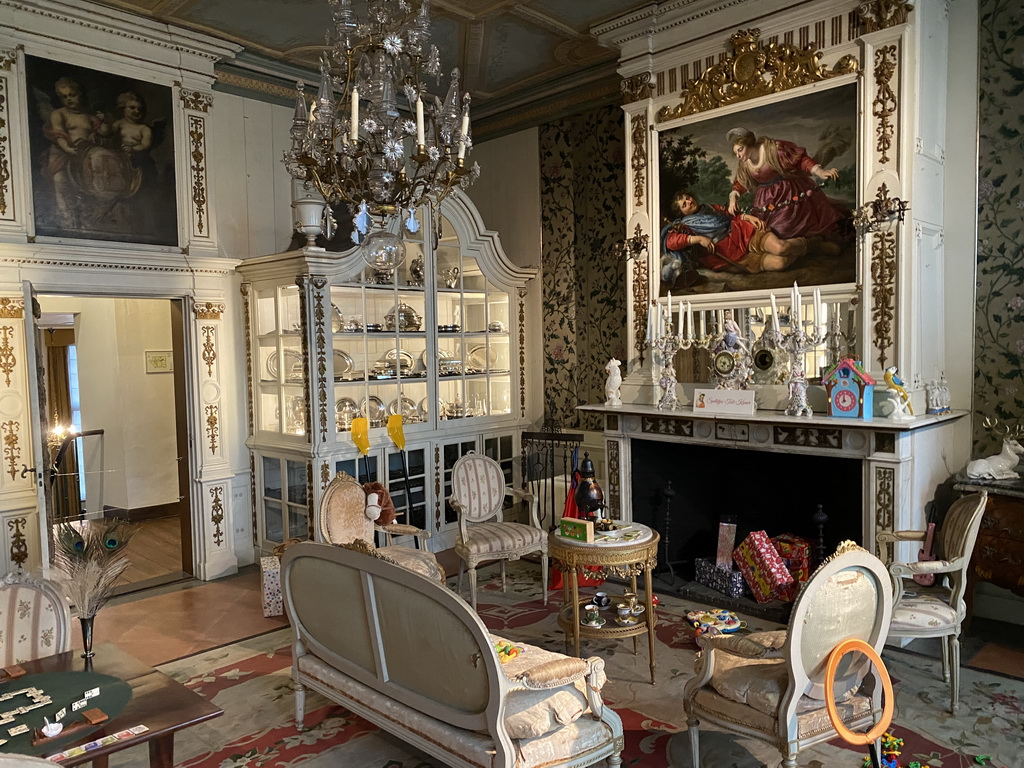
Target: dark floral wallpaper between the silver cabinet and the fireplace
x=583, y=212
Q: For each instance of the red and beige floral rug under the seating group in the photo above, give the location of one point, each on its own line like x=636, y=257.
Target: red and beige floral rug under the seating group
x=251, y=681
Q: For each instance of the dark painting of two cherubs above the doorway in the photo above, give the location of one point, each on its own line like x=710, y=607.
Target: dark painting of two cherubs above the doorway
x=103, y=156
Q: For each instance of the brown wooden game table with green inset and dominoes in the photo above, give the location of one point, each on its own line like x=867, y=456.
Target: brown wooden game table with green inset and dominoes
x=159, y=703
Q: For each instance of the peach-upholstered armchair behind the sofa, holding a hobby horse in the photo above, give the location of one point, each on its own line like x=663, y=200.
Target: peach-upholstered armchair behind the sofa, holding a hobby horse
x=344, y=520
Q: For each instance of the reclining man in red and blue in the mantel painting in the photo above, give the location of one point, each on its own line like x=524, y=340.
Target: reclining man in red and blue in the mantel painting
x=740, y=244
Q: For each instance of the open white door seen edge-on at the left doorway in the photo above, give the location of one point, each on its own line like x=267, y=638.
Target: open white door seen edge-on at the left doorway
x=37, y=403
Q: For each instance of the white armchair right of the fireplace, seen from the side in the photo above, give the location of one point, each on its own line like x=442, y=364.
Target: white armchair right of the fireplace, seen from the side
x=938, y=611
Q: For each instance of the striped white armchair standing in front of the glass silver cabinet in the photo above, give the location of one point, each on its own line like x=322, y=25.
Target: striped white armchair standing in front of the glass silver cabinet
x=479, y=491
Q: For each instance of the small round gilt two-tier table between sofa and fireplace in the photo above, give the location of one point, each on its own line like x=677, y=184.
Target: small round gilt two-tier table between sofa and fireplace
x=613, y=558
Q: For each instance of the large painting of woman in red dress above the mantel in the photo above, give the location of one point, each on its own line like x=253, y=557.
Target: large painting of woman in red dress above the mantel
x=791, y=165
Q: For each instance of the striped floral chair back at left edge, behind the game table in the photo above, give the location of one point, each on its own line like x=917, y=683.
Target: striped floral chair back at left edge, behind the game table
x=36, y=619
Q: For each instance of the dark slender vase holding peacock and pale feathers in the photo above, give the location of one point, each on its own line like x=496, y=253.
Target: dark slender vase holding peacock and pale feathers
x=92, y=559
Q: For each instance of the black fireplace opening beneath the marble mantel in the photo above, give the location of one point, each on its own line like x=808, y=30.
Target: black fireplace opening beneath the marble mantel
x=778, y=493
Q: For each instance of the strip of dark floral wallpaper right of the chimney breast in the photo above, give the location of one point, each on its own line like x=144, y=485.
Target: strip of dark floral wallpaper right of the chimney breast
x=999, y=388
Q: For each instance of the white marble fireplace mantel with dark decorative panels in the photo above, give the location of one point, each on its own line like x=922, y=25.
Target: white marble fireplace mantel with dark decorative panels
x=904, y=461
